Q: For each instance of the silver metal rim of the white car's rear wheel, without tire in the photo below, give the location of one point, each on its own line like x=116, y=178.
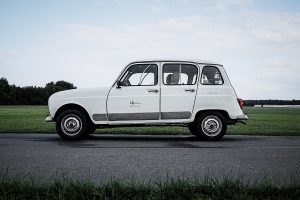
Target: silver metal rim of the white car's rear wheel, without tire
x=211, y=125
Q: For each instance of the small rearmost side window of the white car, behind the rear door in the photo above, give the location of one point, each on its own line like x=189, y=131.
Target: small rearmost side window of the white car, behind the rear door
x=211, y=76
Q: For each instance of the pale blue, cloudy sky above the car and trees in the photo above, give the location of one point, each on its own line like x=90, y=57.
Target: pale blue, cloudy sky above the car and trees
x=88, y=43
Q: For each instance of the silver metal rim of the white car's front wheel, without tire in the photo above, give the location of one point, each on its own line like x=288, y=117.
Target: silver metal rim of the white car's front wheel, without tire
x=71, y=125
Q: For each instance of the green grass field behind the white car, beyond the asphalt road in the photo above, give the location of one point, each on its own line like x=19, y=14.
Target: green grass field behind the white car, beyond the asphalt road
x=262, y=121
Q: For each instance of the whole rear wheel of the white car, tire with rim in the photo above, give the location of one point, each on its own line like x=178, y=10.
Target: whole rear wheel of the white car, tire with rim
x=209, y=126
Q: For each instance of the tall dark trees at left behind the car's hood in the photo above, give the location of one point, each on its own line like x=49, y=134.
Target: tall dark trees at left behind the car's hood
x=30, y=95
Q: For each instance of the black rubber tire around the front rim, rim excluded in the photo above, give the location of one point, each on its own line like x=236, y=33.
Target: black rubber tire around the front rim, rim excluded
x=84, y=123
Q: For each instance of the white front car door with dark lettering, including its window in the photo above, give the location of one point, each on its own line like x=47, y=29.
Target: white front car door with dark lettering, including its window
x=135, y=96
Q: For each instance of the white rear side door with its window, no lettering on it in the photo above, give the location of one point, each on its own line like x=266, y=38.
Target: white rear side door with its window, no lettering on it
x=178, y=90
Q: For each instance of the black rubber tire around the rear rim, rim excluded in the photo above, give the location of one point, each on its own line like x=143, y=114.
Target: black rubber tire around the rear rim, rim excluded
x=198, y=129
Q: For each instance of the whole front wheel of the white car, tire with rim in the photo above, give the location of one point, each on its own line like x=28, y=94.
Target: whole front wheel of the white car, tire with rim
x=72, y=125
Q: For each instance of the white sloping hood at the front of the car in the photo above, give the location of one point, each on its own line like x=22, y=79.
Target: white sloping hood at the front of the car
x=81, y=93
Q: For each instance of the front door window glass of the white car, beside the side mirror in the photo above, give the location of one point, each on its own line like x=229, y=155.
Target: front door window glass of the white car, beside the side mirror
x=140, y=74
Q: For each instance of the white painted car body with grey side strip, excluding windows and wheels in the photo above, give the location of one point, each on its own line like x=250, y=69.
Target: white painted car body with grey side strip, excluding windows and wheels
x=140, y=105
